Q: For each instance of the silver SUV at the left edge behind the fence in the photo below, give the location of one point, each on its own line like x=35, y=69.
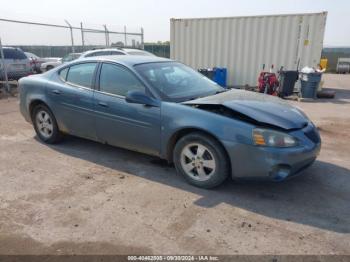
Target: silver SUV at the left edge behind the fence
x=16, y=62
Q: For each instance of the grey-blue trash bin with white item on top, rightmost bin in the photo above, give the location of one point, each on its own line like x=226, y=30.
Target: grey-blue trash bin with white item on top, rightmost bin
x=309, y=84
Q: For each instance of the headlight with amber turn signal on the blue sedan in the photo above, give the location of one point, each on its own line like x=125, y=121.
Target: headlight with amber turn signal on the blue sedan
x=268, y=137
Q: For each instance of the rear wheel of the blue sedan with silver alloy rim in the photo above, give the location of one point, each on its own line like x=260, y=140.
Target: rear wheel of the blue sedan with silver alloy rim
x=45, y=125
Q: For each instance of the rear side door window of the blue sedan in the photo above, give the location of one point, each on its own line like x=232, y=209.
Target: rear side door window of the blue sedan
x=81, y=74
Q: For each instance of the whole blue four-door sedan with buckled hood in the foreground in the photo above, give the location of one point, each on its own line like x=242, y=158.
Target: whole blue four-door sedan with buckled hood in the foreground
x=164, y=108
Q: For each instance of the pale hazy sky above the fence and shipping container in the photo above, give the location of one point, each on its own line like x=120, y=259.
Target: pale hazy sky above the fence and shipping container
x=154, y=15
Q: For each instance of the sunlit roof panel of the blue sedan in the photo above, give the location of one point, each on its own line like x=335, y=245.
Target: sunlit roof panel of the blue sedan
x=130, y=60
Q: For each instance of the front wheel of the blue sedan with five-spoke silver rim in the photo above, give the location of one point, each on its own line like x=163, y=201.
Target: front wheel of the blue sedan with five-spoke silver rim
x=201, y=160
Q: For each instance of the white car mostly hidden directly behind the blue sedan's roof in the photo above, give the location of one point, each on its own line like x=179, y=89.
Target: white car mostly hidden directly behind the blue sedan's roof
x=115, y=51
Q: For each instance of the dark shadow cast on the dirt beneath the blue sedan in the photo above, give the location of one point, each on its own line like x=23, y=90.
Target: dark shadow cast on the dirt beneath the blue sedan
x=319, y=198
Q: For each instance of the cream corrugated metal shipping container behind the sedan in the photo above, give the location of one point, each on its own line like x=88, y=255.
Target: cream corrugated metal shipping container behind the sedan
x=243, y=44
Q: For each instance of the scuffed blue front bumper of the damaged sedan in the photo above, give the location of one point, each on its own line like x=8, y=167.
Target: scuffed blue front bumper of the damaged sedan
x=276, y=164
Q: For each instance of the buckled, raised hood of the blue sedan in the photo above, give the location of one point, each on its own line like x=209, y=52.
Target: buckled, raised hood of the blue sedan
x=262, y=108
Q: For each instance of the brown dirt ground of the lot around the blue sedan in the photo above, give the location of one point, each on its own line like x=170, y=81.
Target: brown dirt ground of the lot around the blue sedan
x=84, y=197
